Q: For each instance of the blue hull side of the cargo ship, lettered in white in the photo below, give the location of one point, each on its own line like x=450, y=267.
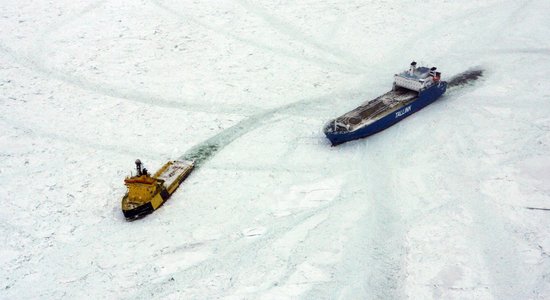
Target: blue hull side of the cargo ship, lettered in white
x=424, y=98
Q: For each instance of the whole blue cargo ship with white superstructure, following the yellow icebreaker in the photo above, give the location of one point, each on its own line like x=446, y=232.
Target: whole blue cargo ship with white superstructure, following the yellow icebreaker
x=412, y=90
